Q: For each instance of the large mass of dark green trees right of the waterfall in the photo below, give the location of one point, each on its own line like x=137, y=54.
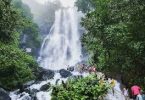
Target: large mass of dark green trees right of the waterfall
x=115, y=38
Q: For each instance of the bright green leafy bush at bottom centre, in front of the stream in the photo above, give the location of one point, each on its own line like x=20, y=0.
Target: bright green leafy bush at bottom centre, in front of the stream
x=88, y=88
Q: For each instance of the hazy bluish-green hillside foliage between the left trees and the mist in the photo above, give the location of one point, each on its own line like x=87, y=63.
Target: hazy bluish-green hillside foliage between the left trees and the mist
x=30, y=36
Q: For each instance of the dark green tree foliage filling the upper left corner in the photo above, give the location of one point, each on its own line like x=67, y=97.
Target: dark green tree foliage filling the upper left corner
x=9, y=21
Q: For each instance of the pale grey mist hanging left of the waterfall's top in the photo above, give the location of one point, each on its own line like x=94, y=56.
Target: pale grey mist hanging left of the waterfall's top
x=43, y=13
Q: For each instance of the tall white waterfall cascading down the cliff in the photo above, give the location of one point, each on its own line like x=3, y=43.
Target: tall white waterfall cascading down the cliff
x=62, y=46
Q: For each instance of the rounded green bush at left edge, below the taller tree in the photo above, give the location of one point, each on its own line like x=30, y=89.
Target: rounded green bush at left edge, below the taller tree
x=15, y=66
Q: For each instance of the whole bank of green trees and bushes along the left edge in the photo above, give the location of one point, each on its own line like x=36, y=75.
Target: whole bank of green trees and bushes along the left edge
x=15, y=65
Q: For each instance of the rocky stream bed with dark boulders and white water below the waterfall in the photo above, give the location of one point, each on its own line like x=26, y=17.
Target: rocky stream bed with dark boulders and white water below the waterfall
x=41, y=88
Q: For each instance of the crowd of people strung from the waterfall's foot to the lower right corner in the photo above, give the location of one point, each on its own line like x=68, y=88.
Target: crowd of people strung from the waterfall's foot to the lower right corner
x=135, y=91
